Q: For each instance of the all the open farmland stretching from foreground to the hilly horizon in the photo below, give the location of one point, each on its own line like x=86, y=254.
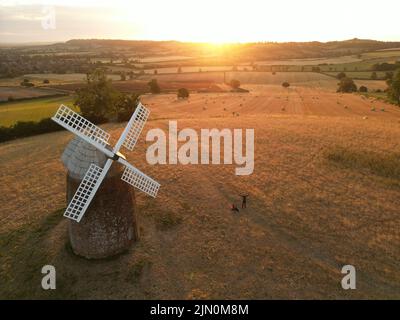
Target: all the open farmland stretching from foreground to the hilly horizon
x=324, y=192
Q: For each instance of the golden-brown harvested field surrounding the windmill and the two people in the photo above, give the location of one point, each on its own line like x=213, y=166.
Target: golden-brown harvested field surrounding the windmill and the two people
x=324, y=193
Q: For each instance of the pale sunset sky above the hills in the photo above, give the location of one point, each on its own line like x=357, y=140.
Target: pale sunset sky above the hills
x=195, y=20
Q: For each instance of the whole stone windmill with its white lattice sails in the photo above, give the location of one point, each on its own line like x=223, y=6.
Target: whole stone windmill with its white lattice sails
x=98, y=182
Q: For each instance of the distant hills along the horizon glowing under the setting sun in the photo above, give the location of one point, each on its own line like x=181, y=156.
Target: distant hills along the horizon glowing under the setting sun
x=234, y=52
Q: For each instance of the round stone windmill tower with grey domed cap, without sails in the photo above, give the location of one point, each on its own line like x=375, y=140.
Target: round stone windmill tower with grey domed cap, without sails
x=109, y=226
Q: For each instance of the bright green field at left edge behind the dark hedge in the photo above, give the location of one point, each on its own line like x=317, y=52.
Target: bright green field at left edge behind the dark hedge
x=30, y=110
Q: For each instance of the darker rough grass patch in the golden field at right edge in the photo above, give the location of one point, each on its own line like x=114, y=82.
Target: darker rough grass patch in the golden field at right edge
x=385, y=165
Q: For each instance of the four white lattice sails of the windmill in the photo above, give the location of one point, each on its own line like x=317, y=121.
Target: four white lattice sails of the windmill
x=98, y=138
